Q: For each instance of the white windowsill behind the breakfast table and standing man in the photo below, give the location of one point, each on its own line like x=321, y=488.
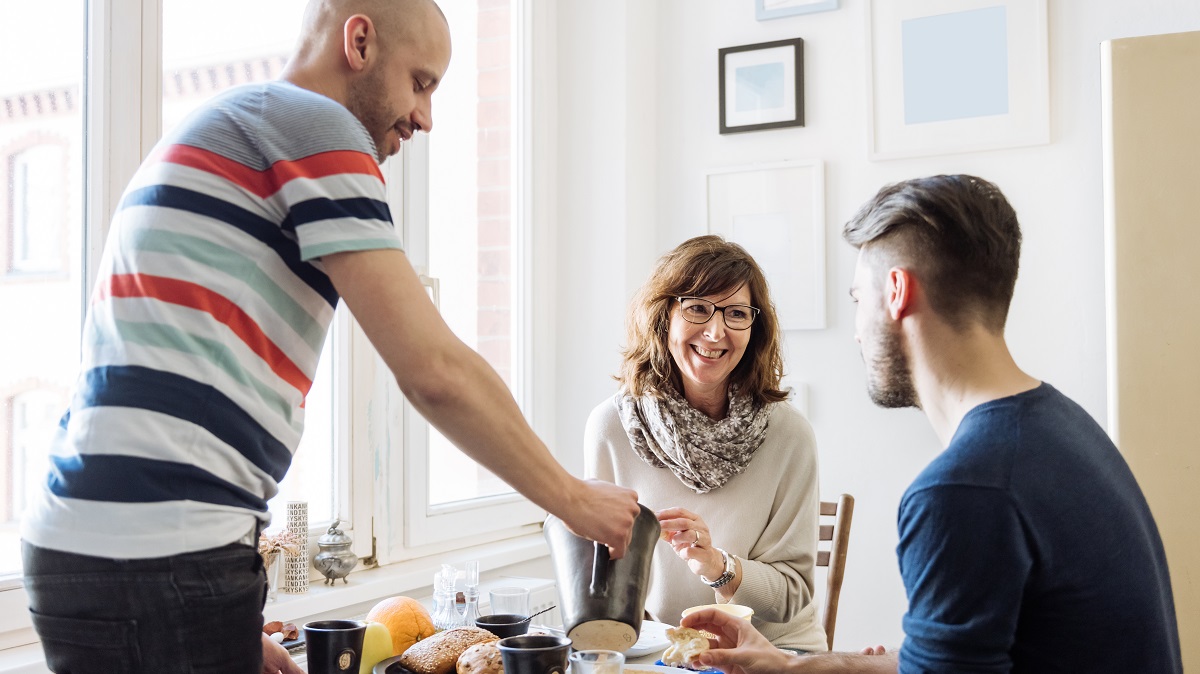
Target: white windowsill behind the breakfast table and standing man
x=367, y=586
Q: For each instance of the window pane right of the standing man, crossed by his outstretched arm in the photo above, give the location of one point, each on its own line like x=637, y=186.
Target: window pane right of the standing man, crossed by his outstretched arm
x=470, y=232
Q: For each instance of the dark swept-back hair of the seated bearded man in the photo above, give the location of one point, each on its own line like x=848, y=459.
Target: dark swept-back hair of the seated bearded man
x=957, y=233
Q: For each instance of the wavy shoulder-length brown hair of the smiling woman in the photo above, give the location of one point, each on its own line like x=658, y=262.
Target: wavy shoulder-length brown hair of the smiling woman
x=705, y=266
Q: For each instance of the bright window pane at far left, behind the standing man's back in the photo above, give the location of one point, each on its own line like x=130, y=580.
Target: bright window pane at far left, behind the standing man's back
x=41, y=244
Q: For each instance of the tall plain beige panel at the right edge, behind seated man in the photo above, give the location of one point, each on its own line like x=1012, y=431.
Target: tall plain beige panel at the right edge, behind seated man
x=1153, y=245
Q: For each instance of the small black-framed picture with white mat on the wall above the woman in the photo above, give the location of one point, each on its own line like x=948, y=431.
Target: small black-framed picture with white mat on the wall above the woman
x=763, y=86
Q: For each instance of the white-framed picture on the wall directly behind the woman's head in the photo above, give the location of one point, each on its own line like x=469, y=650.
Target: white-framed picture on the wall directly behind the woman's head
x=777, y=214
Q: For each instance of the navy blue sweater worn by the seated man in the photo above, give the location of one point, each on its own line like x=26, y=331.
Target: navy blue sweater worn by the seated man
x=1028, y=546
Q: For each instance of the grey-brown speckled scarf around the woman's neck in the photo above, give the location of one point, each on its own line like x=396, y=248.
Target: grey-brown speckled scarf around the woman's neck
x=704, y=454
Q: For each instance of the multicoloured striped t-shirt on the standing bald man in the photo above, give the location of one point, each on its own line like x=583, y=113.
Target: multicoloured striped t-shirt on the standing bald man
x=206, y=326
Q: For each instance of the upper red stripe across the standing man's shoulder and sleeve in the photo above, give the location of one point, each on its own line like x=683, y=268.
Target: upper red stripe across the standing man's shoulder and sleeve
x=266, y=183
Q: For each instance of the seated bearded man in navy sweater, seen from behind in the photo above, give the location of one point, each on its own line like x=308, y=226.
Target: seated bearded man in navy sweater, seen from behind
x=1027, y=545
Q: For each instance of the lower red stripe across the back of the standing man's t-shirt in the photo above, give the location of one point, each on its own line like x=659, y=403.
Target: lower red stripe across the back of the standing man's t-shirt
x=200, y=298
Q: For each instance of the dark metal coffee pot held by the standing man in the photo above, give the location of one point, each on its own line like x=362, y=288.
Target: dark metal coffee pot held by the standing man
x=603, y=600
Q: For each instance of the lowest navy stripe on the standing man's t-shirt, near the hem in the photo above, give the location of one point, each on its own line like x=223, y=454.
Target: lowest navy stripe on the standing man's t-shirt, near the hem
x=123, y=479
